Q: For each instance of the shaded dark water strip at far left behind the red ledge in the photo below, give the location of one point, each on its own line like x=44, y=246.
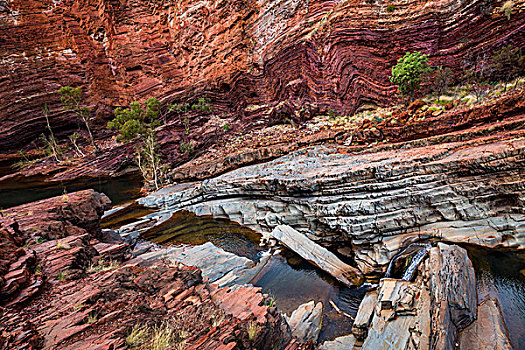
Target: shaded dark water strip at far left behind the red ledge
x=20, y=190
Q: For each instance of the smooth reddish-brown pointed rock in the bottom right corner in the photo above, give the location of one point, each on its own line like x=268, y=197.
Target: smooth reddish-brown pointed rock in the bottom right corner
x=488, y=331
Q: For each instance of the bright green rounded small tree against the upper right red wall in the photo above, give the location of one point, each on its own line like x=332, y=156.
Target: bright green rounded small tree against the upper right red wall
x=408, y=72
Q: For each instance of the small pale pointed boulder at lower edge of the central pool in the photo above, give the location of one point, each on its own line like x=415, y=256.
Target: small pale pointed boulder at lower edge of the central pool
x=305, y=321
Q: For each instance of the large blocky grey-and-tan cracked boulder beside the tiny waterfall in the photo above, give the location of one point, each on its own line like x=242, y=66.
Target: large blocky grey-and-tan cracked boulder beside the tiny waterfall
x=427, y=313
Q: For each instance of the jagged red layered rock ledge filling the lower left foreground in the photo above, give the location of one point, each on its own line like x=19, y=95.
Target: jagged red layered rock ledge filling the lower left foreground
x=66, y=285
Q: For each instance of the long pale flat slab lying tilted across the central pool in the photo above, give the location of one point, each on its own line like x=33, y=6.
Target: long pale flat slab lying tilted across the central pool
x=316, y=254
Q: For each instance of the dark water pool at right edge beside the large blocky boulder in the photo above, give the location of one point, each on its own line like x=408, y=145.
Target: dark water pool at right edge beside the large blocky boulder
x=501, y=275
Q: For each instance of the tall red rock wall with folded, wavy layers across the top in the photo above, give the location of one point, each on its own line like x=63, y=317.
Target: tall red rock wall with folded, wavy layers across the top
x=335, y=54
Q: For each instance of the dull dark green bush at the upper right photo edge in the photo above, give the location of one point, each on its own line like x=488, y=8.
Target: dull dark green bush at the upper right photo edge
x=507, y=62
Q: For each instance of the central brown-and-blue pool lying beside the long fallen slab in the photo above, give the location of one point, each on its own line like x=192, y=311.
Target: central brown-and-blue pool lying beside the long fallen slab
x=291, y=280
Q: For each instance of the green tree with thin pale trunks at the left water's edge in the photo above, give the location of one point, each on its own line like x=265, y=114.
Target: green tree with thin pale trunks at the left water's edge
x=140, y=121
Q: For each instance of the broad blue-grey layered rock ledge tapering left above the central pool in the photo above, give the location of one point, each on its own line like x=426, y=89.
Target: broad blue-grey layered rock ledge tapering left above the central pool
x=372, y=204
